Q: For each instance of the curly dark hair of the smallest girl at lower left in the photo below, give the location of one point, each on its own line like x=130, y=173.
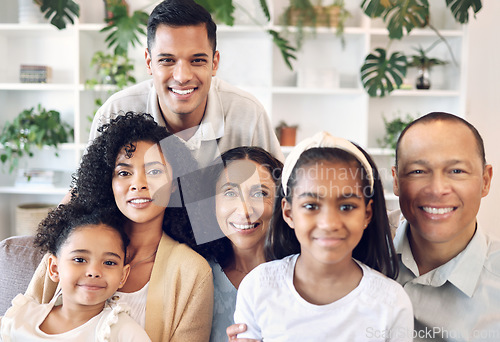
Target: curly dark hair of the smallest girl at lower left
x=61, y=222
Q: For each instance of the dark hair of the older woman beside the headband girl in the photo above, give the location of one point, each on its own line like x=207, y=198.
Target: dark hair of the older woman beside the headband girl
x=221, y=250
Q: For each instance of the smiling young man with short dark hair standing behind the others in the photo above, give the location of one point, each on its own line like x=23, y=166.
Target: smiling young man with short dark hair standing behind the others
x=208, y=114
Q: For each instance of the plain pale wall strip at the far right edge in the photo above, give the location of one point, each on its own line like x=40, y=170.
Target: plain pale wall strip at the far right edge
x=483, y=100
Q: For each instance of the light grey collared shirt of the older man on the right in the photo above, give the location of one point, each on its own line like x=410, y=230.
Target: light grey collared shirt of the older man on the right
x=458, y=301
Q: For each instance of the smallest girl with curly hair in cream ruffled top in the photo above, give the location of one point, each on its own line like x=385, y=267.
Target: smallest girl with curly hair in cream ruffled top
x=87, y=251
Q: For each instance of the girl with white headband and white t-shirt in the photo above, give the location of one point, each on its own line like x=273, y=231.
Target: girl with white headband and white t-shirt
x=335, y=278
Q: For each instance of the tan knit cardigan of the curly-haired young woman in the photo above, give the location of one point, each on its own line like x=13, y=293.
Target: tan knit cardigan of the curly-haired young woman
x=180, y=294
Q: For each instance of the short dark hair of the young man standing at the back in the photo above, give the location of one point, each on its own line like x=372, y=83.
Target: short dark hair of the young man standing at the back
x=177, y=13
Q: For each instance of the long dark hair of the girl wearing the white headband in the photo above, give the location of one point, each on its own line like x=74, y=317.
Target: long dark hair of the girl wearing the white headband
x=375, y=248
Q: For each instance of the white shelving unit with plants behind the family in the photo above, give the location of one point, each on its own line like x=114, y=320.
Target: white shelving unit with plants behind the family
x=249, y=60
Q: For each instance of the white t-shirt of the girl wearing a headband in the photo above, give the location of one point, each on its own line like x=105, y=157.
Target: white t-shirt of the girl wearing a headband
x=378, y=309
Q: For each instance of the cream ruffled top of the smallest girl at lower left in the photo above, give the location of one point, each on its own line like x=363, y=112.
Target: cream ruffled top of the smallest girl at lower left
x=22, y=321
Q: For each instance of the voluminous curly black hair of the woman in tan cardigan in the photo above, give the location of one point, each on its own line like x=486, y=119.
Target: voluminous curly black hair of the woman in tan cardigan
x=92, y=183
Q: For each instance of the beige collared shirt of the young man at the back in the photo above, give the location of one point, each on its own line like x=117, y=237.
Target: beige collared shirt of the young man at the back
x=232, y=118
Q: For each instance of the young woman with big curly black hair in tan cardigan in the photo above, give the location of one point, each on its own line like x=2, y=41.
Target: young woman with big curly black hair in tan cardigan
x=133, y=169
